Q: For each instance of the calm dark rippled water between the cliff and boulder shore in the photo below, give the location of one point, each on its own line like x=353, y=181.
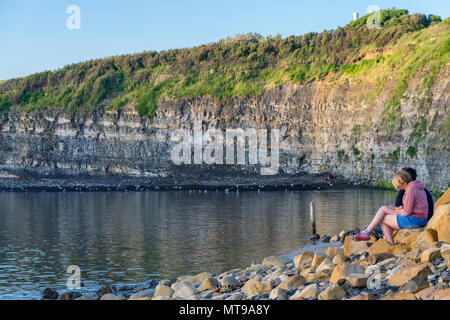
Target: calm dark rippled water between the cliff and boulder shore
x=131, y=237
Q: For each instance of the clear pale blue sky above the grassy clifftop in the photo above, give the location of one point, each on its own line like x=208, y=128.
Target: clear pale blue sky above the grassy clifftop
x=34, y=36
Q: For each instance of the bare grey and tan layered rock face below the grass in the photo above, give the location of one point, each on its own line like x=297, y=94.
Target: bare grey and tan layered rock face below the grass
x=324, y=127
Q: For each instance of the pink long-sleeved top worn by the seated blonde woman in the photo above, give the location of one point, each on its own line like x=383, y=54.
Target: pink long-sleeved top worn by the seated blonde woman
x=415, y=200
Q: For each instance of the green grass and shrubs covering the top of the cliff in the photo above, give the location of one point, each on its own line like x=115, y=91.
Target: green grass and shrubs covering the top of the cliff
x=245, y=65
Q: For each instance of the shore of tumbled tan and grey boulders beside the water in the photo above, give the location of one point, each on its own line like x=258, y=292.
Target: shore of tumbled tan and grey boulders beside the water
x=415, y=267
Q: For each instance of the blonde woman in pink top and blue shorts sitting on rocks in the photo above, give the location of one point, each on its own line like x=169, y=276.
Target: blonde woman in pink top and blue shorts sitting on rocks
x=413, y=213
